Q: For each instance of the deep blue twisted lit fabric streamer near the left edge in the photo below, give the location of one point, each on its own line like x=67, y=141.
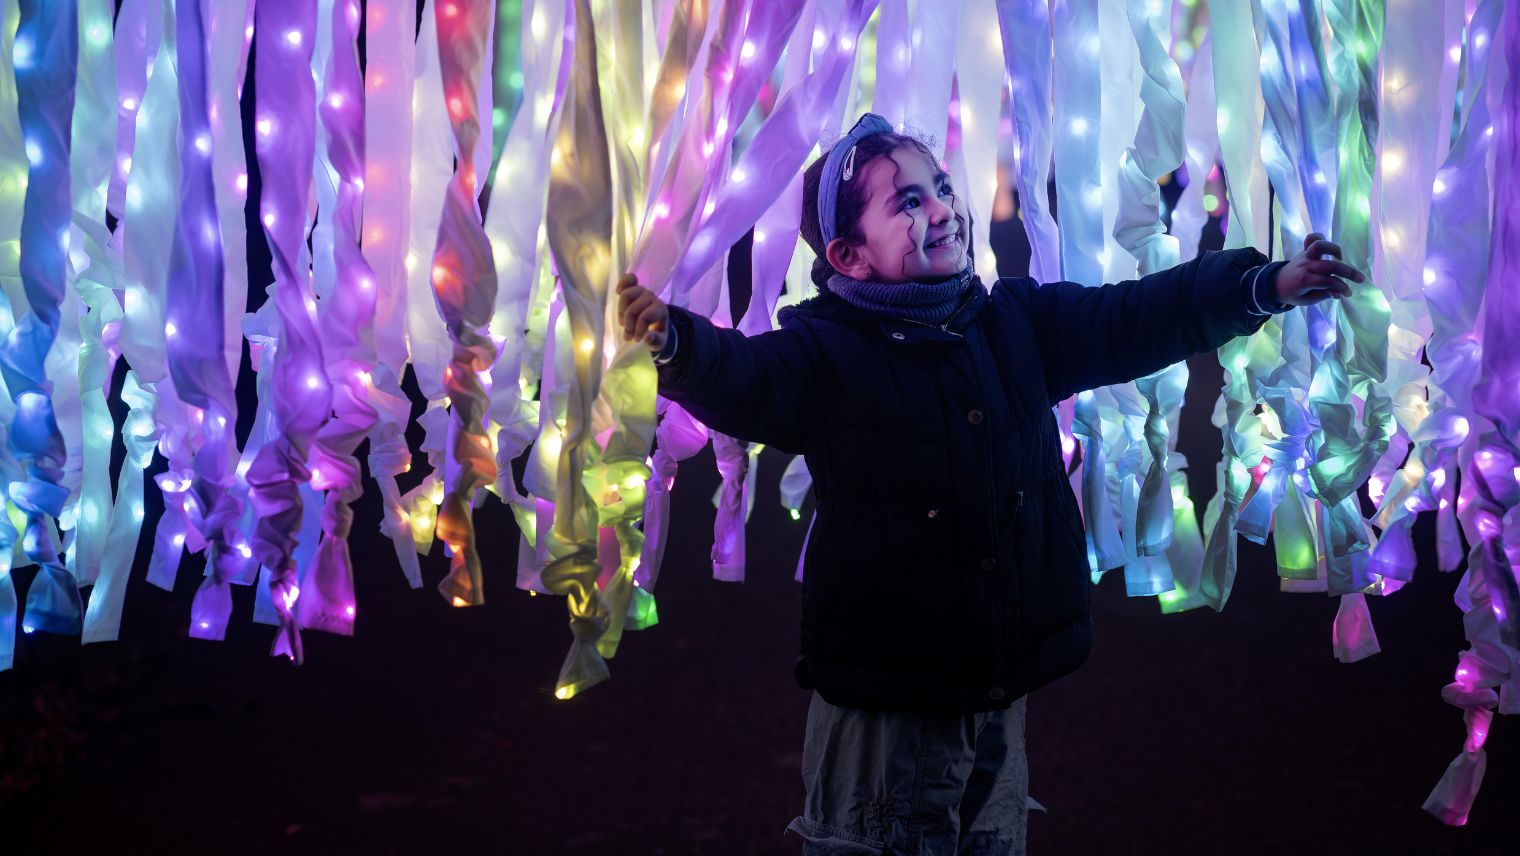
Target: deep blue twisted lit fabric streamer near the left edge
x=45, y=65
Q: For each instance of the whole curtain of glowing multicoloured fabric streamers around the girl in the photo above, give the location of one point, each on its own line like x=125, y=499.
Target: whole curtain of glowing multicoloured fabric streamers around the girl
x=461, y=203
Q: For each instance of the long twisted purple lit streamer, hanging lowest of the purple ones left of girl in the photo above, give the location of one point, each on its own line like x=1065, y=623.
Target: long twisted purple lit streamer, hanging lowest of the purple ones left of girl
x=300, y=393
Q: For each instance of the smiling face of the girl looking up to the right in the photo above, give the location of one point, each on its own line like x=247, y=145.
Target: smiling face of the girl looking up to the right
x=916, y=229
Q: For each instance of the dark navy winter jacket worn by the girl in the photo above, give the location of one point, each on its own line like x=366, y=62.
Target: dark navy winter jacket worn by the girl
x=948, y=565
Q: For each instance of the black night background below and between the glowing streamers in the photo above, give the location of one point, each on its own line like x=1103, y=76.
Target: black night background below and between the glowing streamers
x=435, y=729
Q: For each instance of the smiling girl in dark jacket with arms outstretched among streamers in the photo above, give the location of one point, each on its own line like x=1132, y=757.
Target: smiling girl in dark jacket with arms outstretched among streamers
x=946, y=572
